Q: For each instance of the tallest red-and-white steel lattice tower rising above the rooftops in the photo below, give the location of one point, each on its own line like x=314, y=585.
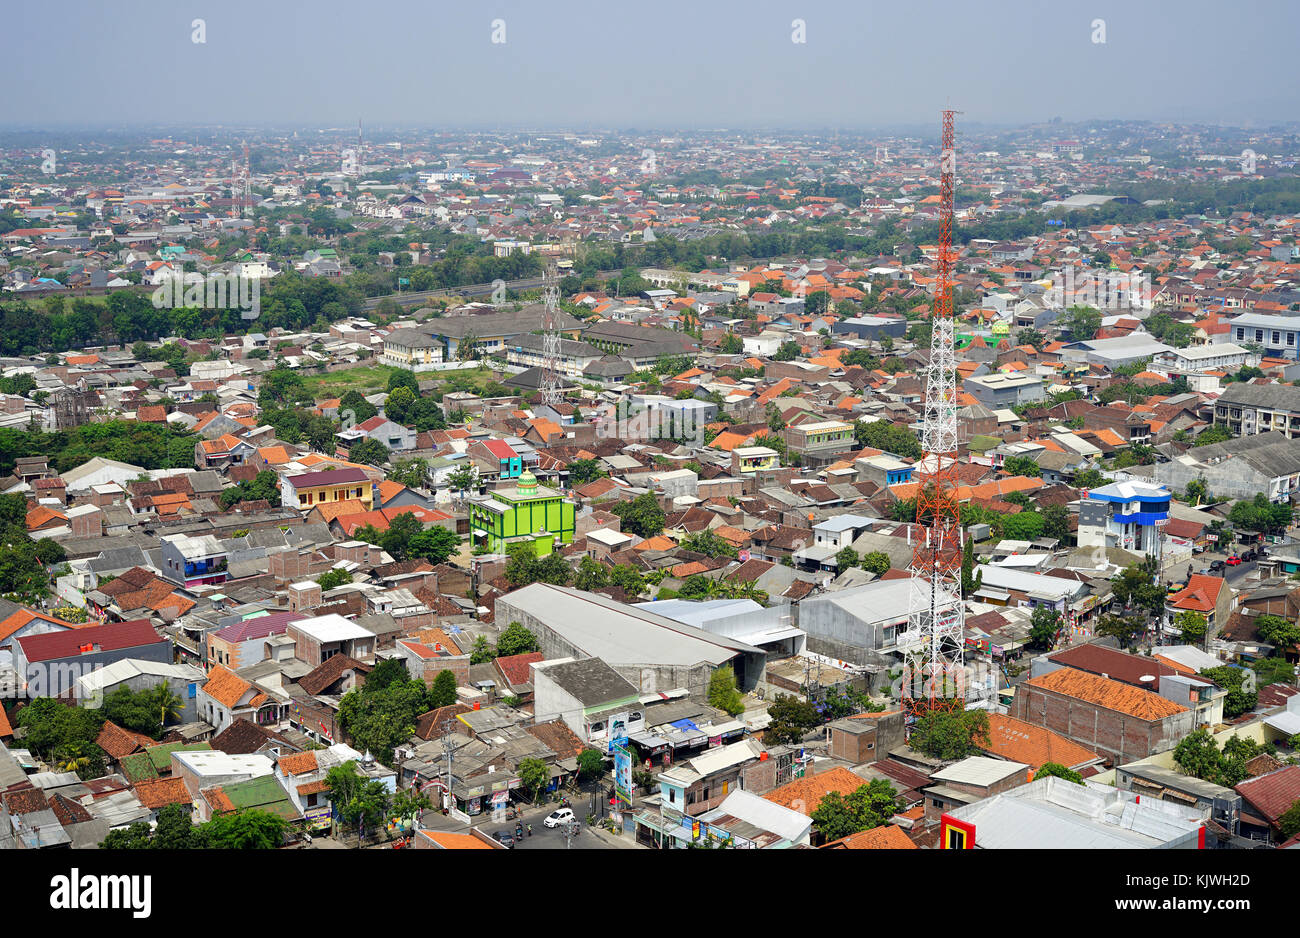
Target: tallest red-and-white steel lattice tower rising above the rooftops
x=934, y=672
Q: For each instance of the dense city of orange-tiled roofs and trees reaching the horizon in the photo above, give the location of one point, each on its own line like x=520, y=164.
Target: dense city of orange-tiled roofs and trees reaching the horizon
x=393, y=488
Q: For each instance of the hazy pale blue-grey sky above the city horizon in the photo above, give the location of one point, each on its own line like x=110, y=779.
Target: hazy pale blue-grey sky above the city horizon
x=649, y=64
